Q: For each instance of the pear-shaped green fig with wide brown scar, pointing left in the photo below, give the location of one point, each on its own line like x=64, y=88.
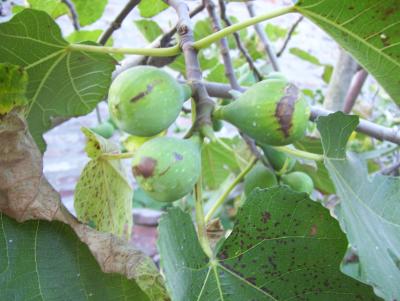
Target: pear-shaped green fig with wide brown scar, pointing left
x=272, y=111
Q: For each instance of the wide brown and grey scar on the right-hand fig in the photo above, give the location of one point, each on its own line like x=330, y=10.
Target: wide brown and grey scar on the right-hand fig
x=285, y=109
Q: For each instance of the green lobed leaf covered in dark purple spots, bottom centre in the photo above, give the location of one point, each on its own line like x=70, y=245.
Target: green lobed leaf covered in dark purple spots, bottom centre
x=288, y=265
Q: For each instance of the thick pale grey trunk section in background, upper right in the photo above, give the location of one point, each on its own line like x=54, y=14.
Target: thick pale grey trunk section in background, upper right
x=340, y=82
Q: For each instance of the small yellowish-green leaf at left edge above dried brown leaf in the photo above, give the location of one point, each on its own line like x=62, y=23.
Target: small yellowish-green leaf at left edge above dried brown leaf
x=13, y=82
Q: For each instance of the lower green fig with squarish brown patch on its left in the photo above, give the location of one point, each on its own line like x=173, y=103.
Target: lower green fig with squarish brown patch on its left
x=167, y=168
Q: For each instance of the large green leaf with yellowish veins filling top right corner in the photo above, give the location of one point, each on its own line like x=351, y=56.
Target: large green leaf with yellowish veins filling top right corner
x=367, y=29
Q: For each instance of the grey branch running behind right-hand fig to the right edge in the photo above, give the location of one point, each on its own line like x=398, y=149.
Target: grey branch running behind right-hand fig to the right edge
x=367, y=127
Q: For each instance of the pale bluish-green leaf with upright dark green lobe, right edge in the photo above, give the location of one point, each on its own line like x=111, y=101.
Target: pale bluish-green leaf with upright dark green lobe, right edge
x=368, y=211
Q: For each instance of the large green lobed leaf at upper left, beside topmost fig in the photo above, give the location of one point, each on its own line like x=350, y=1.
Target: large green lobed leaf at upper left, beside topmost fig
x=62, y=82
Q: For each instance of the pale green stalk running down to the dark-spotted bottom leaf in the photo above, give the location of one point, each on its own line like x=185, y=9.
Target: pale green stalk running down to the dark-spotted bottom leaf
x=200, y=220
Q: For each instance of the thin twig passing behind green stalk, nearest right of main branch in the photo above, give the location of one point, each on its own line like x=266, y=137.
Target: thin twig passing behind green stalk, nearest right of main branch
x=229, y=71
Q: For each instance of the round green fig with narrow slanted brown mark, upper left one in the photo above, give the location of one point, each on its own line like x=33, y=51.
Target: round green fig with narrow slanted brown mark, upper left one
x=144, y=100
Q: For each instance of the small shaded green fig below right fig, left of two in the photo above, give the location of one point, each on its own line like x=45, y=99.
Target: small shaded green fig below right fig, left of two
x=260, y=176
